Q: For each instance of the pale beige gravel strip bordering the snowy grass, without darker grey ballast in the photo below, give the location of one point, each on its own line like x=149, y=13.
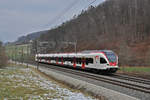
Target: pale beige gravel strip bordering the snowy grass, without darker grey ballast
x=83, y=84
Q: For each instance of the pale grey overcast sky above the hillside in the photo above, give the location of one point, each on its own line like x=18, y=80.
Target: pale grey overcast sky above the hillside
x=21, y=17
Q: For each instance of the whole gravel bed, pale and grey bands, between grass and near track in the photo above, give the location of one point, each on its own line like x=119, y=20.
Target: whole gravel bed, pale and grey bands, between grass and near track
x=111, y=92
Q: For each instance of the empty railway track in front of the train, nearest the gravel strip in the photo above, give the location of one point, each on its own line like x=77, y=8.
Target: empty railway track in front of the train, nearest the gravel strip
x=131, y=85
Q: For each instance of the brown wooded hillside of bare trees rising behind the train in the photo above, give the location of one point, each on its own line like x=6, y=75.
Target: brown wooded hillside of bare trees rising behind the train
x=120, y=25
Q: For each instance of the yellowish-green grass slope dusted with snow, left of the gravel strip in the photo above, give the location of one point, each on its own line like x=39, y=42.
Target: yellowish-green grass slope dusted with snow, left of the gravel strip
x=24, y=83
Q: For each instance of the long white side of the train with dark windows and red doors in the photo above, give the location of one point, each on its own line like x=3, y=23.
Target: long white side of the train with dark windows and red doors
x=97, y=61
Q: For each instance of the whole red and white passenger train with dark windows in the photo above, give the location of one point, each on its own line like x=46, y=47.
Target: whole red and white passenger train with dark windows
x=105, y=61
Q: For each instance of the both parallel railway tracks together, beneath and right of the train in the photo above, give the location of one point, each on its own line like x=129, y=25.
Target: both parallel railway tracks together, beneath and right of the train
x=133, y=83
